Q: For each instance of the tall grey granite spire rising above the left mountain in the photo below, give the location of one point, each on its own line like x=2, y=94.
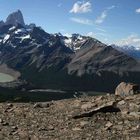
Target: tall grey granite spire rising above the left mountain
x=15, y=18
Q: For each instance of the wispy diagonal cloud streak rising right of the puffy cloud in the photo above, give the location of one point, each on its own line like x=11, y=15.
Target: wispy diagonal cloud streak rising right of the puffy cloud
x=103, y=15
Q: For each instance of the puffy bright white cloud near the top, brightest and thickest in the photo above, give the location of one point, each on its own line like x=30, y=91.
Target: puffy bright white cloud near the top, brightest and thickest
x=81, y=7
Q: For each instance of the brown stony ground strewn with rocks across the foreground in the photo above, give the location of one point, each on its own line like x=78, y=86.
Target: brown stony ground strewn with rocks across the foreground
x=87, y=118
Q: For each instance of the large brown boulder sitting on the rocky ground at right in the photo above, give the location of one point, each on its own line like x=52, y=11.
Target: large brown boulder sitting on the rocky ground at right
x=126, y=89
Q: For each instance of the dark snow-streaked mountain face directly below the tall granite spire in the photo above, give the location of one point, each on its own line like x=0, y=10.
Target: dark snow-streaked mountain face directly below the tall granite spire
x=35, y=47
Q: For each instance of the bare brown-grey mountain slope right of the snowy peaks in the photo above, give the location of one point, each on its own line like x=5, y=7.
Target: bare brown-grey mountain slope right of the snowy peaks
x=97, y=57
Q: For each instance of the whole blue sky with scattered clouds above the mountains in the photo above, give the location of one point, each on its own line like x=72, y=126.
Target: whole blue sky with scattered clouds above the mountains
x=107, y=20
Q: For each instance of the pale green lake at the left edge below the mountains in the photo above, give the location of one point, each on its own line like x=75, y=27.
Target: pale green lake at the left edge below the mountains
x=6, y=78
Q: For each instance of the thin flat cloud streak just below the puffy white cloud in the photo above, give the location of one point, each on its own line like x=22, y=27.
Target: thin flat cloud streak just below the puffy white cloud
x=82, y=21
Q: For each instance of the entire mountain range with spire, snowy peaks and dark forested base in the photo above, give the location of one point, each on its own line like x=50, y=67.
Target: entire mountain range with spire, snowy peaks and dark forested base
x=70, y=63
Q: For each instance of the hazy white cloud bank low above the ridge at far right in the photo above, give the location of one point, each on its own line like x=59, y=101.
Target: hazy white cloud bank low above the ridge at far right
x=132, y=40
